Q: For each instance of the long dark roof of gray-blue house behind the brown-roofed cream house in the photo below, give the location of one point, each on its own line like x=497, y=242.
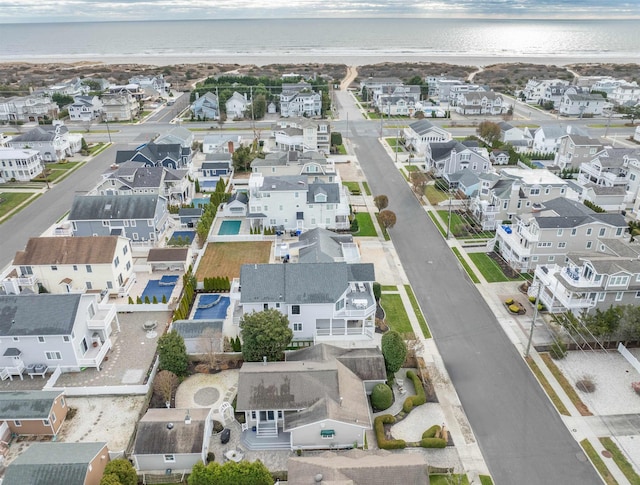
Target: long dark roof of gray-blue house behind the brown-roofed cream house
x=101, y=207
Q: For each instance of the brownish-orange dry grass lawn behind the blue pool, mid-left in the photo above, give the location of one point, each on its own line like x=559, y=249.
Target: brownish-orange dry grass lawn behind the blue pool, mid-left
x=225, y=259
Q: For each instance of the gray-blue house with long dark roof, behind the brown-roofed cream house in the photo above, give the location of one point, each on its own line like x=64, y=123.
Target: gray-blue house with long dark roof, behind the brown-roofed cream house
x=141, y=218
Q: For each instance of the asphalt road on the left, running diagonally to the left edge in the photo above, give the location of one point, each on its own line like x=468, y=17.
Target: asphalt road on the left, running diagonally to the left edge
x=34, y=219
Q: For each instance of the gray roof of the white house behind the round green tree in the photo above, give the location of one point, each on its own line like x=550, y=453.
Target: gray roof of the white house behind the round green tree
x=300, y=283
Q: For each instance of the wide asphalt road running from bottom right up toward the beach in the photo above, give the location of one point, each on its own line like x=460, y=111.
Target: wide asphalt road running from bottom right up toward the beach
x=520, y=434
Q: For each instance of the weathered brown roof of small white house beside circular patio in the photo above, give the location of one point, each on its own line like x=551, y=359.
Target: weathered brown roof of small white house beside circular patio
x=163, y=431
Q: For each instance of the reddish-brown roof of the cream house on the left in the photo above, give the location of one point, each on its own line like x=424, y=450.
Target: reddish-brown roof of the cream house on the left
x=67, y=250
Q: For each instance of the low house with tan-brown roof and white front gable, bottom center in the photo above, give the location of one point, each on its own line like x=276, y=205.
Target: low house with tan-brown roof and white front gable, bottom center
x=317, y=399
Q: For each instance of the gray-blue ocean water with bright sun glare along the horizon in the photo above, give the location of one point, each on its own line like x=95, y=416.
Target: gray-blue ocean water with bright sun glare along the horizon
x=275, y=40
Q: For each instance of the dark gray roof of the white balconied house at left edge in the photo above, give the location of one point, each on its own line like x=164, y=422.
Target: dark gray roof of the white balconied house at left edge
x=38, y=314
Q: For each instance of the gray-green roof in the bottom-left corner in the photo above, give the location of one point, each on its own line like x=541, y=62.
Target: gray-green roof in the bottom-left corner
x=52, y=463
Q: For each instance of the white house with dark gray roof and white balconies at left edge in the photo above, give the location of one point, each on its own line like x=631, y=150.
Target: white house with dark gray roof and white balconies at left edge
x=39, y=333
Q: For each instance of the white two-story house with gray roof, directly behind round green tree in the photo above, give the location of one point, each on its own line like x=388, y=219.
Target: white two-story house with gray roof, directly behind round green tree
x=324, y=301
